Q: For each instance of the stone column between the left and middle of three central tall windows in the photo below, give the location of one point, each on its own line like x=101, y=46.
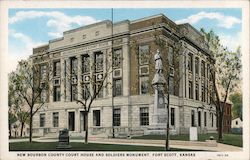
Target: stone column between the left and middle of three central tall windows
x=79, y=76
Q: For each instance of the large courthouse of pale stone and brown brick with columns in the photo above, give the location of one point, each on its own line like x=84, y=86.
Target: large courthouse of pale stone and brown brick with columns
x=129, y=111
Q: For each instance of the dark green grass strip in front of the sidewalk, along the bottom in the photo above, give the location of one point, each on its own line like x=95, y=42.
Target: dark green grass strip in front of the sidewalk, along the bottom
x=51, y=146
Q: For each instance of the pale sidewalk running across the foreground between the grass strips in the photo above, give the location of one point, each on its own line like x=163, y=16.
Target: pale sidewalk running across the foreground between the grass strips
x=141, y=142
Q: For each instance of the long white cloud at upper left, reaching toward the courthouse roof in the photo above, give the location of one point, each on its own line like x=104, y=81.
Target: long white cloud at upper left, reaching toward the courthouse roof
x=57, y=21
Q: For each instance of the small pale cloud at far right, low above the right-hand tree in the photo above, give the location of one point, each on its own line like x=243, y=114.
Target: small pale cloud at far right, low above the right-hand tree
x=232, y=42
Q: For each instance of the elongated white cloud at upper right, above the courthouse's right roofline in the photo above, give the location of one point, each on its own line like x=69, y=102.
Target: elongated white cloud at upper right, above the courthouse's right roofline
x=223, y=21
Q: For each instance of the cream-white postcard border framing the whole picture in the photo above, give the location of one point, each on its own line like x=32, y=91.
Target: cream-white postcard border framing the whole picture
x=5, y=5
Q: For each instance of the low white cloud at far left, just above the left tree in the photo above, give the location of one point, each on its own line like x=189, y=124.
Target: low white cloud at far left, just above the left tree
x=17, y=53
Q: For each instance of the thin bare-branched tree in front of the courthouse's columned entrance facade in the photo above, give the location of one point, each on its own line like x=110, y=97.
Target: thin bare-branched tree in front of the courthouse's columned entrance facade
x=97, y=75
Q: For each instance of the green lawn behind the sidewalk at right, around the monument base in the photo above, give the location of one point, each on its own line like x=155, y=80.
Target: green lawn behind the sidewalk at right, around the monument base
x=231, y=139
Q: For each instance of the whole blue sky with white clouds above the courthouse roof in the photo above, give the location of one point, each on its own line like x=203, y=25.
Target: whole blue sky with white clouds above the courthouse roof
x=29, y=28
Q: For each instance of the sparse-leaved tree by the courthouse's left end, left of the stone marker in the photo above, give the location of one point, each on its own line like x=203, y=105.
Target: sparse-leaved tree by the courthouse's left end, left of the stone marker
x=27, y=84
